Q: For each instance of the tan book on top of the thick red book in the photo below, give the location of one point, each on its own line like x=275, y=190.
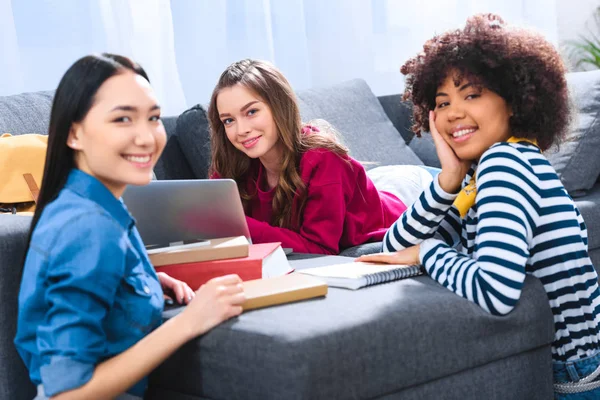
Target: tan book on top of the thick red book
x=214, y=249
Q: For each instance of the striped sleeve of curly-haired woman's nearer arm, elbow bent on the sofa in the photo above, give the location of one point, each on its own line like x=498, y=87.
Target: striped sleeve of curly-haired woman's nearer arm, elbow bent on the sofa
x=493, y=275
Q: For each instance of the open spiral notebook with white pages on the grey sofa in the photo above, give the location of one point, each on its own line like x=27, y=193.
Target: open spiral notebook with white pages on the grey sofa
x=360, y=274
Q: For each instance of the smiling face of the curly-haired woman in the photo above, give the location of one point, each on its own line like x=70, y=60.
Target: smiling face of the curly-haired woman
x=470, y=118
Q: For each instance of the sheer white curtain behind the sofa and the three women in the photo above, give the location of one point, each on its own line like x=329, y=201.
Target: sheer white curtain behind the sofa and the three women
x=185, y=44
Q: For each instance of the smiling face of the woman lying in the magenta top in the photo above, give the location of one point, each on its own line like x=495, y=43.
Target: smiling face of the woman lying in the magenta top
x=249, y=123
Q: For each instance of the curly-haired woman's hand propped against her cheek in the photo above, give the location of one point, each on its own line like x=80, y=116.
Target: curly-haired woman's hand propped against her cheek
x=453, y=168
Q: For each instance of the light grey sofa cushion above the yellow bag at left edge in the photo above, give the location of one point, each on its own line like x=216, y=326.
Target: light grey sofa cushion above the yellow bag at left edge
x=26, y=113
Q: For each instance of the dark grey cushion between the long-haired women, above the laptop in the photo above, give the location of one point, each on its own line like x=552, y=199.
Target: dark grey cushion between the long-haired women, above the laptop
x=194, y=137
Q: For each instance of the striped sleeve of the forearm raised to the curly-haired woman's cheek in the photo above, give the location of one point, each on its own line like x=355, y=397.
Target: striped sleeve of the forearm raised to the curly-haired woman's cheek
x=432, y=215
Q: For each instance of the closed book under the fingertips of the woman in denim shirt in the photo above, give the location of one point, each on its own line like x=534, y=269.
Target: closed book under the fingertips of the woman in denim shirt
x=282, y=289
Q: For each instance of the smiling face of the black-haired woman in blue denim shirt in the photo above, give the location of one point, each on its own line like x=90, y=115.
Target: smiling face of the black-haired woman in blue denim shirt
x=122, y=136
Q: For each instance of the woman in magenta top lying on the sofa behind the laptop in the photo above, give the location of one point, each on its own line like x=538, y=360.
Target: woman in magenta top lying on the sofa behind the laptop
x=298, y=184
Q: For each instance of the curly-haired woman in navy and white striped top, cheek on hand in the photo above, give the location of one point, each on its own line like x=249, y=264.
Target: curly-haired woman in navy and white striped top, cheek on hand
x=494, y=98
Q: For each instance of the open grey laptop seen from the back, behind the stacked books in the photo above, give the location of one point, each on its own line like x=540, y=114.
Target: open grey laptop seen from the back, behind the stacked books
x=175, y=212
